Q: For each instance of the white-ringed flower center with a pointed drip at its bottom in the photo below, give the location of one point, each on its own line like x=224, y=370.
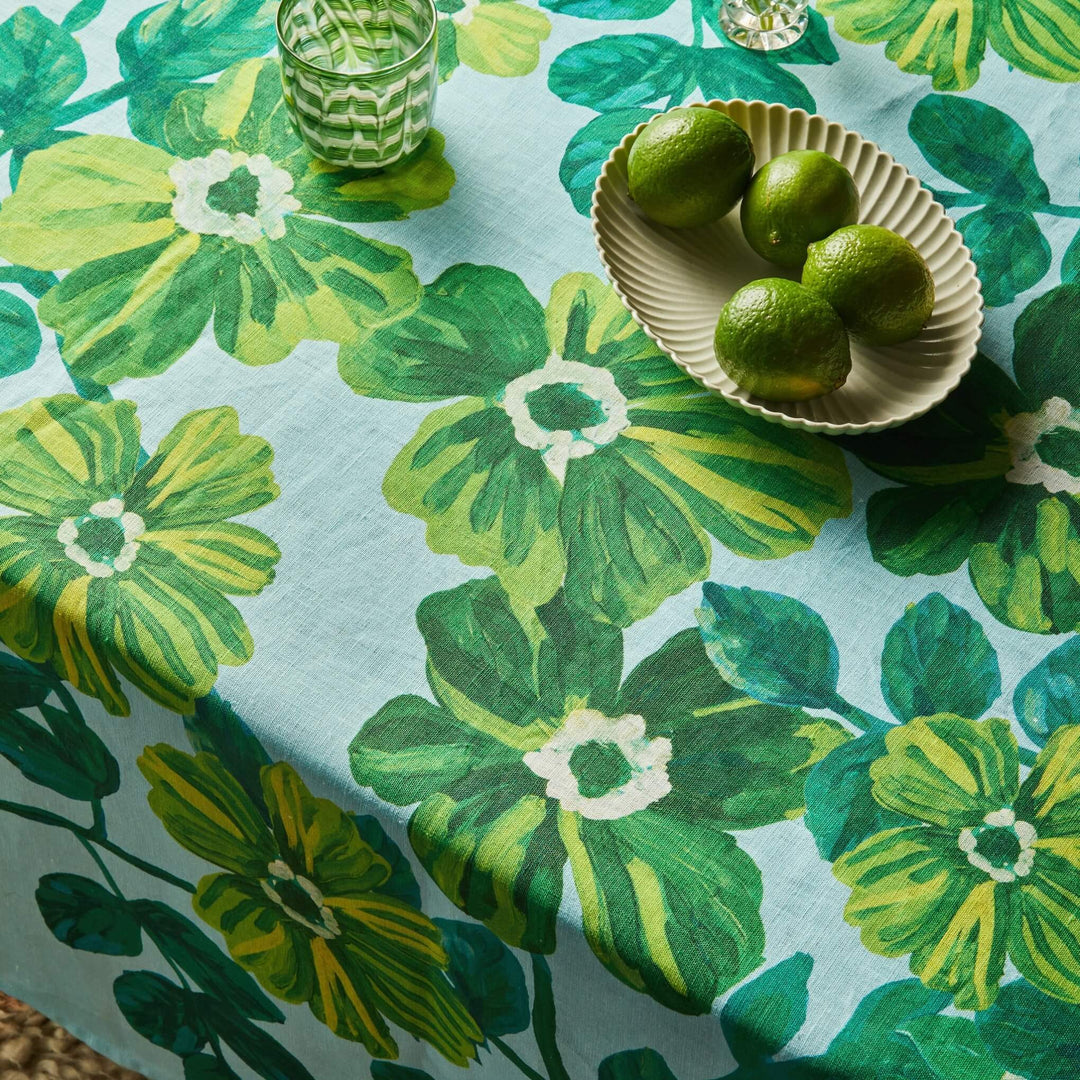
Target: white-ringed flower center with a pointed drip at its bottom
x=565, y=410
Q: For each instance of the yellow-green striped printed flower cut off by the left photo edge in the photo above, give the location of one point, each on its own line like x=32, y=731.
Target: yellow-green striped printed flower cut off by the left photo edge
x=107, y=569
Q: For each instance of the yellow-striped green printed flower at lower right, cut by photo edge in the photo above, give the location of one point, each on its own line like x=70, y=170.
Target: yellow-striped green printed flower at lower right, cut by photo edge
x=989, y=868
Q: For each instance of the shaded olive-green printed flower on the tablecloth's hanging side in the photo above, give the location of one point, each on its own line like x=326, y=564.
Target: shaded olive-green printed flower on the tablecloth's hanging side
x=308, y=907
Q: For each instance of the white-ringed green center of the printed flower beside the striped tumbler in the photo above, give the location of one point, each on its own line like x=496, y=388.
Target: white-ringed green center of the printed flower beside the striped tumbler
x=233, y=195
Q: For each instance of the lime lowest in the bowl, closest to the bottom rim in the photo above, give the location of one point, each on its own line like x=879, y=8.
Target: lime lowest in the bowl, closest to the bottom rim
x=782, y=343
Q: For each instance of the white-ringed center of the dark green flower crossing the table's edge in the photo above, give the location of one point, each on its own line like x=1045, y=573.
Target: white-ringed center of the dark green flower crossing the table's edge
x=603, y=768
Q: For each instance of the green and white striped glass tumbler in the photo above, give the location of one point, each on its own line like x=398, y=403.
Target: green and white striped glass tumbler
x=359, y=76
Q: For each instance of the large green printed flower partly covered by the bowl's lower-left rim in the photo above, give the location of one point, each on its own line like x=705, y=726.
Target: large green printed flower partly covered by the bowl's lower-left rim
x=579, y=450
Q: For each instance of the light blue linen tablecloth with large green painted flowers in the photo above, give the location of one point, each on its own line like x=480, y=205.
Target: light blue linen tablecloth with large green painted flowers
x=410, y=671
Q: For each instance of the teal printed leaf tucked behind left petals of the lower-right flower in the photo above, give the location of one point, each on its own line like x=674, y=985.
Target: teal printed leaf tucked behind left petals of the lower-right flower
x=842, y=811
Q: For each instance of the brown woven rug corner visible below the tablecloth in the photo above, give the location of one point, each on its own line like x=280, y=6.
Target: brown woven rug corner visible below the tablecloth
x=34, y=1048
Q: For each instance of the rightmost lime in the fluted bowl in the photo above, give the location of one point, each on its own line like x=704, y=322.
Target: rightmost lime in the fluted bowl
x=879, y=283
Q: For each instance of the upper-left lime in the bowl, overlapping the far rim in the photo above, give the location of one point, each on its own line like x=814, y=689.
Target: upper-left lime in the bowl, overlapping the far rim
x=690, y=167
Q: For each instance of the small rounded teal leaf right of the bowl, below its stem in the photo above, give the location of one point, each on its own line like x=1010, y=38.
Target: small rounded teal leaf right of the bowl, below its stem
x=1009, y=249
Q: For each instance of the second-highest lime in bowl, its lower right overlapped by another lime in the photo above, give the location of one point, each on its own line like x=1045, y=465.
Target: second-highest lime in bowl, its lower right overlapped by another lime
x=795, y=199
